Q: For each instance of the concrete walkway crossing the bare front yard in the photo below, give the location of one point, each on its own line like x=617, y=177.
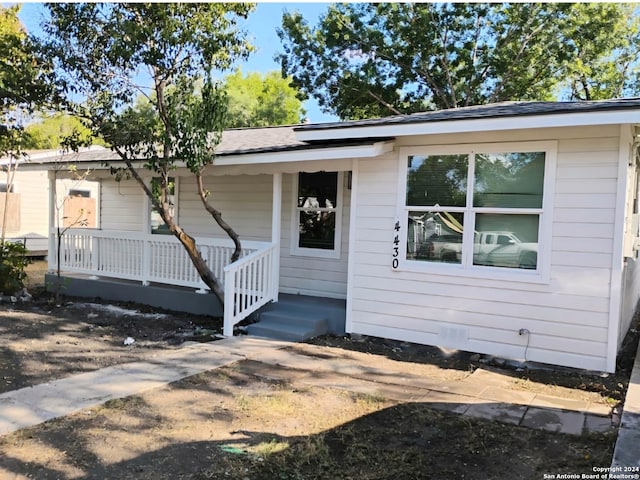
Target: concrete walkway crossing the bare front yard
x=483, y=394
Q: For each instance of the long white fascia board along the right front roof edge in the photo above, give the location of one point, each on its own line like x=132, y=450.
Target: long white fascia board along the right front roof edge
x=472, y=125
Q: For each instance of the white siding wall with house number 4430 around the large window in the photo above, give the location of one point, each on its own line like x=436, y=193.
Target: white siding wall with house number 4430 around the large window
x=567, y=316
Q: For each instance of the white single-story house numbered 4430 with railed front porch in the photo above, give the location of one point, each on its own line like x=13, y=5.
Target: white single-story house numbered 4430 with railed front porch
x=536, y=200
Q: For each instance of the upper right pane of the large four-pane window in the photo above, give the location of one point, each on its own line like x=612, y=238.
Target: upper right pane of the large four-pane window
x=509, y=180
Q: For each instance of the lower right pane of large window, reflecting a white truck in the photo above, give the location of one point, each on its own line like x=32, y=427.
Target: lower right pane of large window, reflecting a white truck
x=506, y=240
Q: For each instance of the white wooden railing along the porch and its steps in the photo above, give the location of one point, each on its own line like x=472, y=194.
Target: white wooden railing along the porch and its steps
x=249, y=283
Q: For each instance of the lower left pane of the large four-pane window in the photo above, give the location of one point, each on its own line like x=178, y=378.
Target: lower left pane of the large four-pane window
x=435, y=236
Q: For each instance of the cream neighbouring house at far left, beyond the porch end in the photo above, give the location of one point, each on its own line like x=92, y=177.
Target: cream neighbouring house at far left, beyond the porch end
x=24, y=195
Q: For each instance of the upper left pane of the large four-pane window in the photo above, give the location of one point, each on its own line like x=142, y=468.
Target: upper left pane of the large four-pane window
x=437, y=180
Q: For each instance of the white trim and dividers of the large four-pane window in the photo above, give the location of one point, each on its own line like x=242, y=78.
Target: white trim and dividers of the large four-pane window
x=467, y=269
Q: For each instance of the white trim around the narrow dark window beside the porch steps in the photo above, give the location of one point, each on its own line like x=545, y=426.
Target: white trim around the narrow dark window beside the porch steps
x=295, y=237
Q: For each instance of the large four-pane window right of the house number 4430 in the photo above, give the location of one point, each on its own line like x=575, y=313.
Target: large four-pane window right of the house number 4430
x=478, y=210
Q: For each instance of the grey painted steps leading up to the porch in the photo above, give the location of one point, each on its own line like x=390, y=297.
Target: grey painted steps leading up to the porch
x=289, y=324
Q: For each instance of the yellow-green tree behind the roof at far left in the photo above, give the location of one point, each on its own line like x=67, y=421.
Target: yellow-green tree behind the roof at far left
x=50, y=130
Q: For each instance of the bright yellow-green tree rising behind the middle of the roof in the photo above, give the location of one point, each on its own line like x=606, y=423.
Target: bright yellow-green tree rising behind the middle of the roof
x=257, y=100
